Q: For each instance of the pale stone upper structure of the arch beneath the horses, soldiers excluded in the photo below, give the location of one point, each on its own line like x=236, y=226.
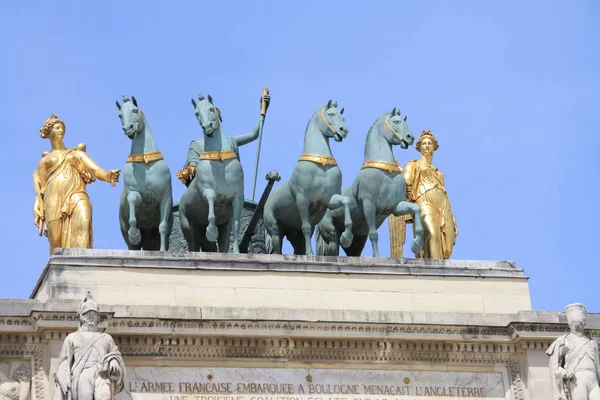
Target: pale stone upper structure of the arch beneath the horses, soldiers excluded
x=261, y=327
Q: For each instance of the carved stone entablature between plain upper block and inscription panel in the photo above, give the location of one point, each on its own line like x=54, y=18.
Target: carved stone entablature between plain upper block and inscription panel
x=32, y=330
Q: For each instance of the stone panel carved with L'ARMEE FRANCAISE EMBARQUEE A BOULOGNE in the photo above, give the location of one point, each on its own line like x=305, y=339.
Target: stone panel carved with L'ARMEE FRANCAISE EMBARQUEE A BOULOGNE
x=190, y=383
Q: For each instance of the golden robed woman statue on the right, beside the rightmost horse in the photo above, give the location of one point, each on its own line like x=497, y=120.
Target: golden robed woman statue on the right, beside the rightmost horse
x=425, y=186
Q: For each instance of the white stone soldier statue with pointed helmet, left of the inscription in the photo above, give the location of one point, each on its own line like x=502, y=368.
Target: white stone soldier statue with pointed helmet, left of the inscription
x=90, y=366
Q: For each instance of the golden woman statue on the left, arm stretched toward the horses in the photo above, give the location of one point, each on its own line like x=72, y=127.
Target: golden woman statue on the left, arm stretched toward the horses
x=61, y=201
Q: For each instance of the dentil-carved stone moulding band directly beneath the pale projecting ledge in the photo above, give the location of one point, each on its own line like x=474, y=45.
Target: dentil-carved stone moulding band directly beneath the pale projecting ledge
x=46, y=321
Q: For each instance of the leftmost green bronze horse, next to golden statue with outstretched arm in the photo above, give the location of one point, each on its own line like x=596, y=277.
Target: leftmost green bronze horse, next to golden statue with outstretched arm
x=145, y=212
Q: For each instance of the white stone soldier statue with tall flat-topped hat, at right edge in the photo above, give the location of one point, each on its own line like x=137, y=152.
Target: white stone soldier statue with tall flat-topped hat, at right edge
x=574, y=361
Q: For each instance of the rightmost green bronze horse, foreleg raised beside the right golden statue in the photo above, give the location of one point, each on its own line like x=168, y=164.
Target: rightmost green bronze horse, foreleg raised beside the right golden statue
x=375, y=193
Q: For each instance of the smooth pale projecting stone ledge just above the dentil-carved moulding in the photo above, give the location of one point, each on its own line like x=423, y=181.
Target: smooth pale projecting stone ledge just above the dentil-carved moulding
x=531, y=320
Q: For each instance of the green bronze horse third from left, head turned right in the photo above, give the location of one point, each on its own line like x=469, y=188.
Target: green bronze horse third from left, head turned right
x=298, y=205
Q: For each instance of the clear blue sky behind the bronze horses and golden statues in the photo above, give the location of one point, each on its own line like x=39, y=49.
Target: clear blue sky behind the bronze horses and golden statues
x=509, y=88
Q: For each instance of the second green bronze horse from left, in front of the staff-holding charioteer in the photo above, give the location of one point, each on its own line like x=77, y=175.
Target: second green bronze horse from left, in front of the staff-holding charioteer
x=212, y=205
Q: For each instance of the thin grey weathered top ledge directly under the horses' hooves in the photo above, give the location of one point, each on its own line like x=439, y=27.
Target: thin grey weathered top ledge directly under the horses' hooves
x=275, y=262
